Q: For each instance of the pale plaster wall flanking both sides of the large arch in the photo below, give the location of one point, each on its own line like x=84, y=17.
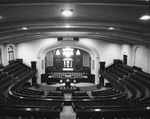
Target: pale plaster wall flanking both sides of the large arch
x=107, y=51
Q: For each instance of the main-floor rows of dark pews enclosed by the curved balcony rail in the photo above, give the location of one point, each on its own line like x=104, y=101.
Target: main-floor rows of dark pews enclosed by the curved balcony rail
x=75, y=96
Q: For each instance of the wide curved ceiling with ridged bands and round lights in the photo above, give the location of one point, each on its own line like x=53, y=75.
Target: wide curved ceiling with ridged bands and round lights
x=90, y=19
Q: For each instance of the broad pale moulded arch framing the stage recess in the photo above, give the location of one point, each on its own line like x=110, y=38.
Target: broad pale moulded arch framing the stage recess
x=94, y=61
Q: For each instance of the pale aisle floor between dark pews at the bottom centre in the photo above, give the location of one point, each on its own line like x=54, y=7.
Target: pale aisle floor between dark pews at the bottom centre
x=67, y=113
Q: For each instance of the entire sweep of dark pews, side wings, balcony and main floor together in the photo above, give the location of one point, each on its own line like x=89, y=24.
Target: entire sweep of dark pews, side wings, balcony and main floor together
x=129, y=98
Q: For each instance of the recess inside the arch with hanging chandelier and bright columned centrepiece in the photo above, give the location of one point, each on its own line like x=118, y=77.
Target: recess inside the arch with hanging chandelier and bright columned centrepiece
x=67, y=57
